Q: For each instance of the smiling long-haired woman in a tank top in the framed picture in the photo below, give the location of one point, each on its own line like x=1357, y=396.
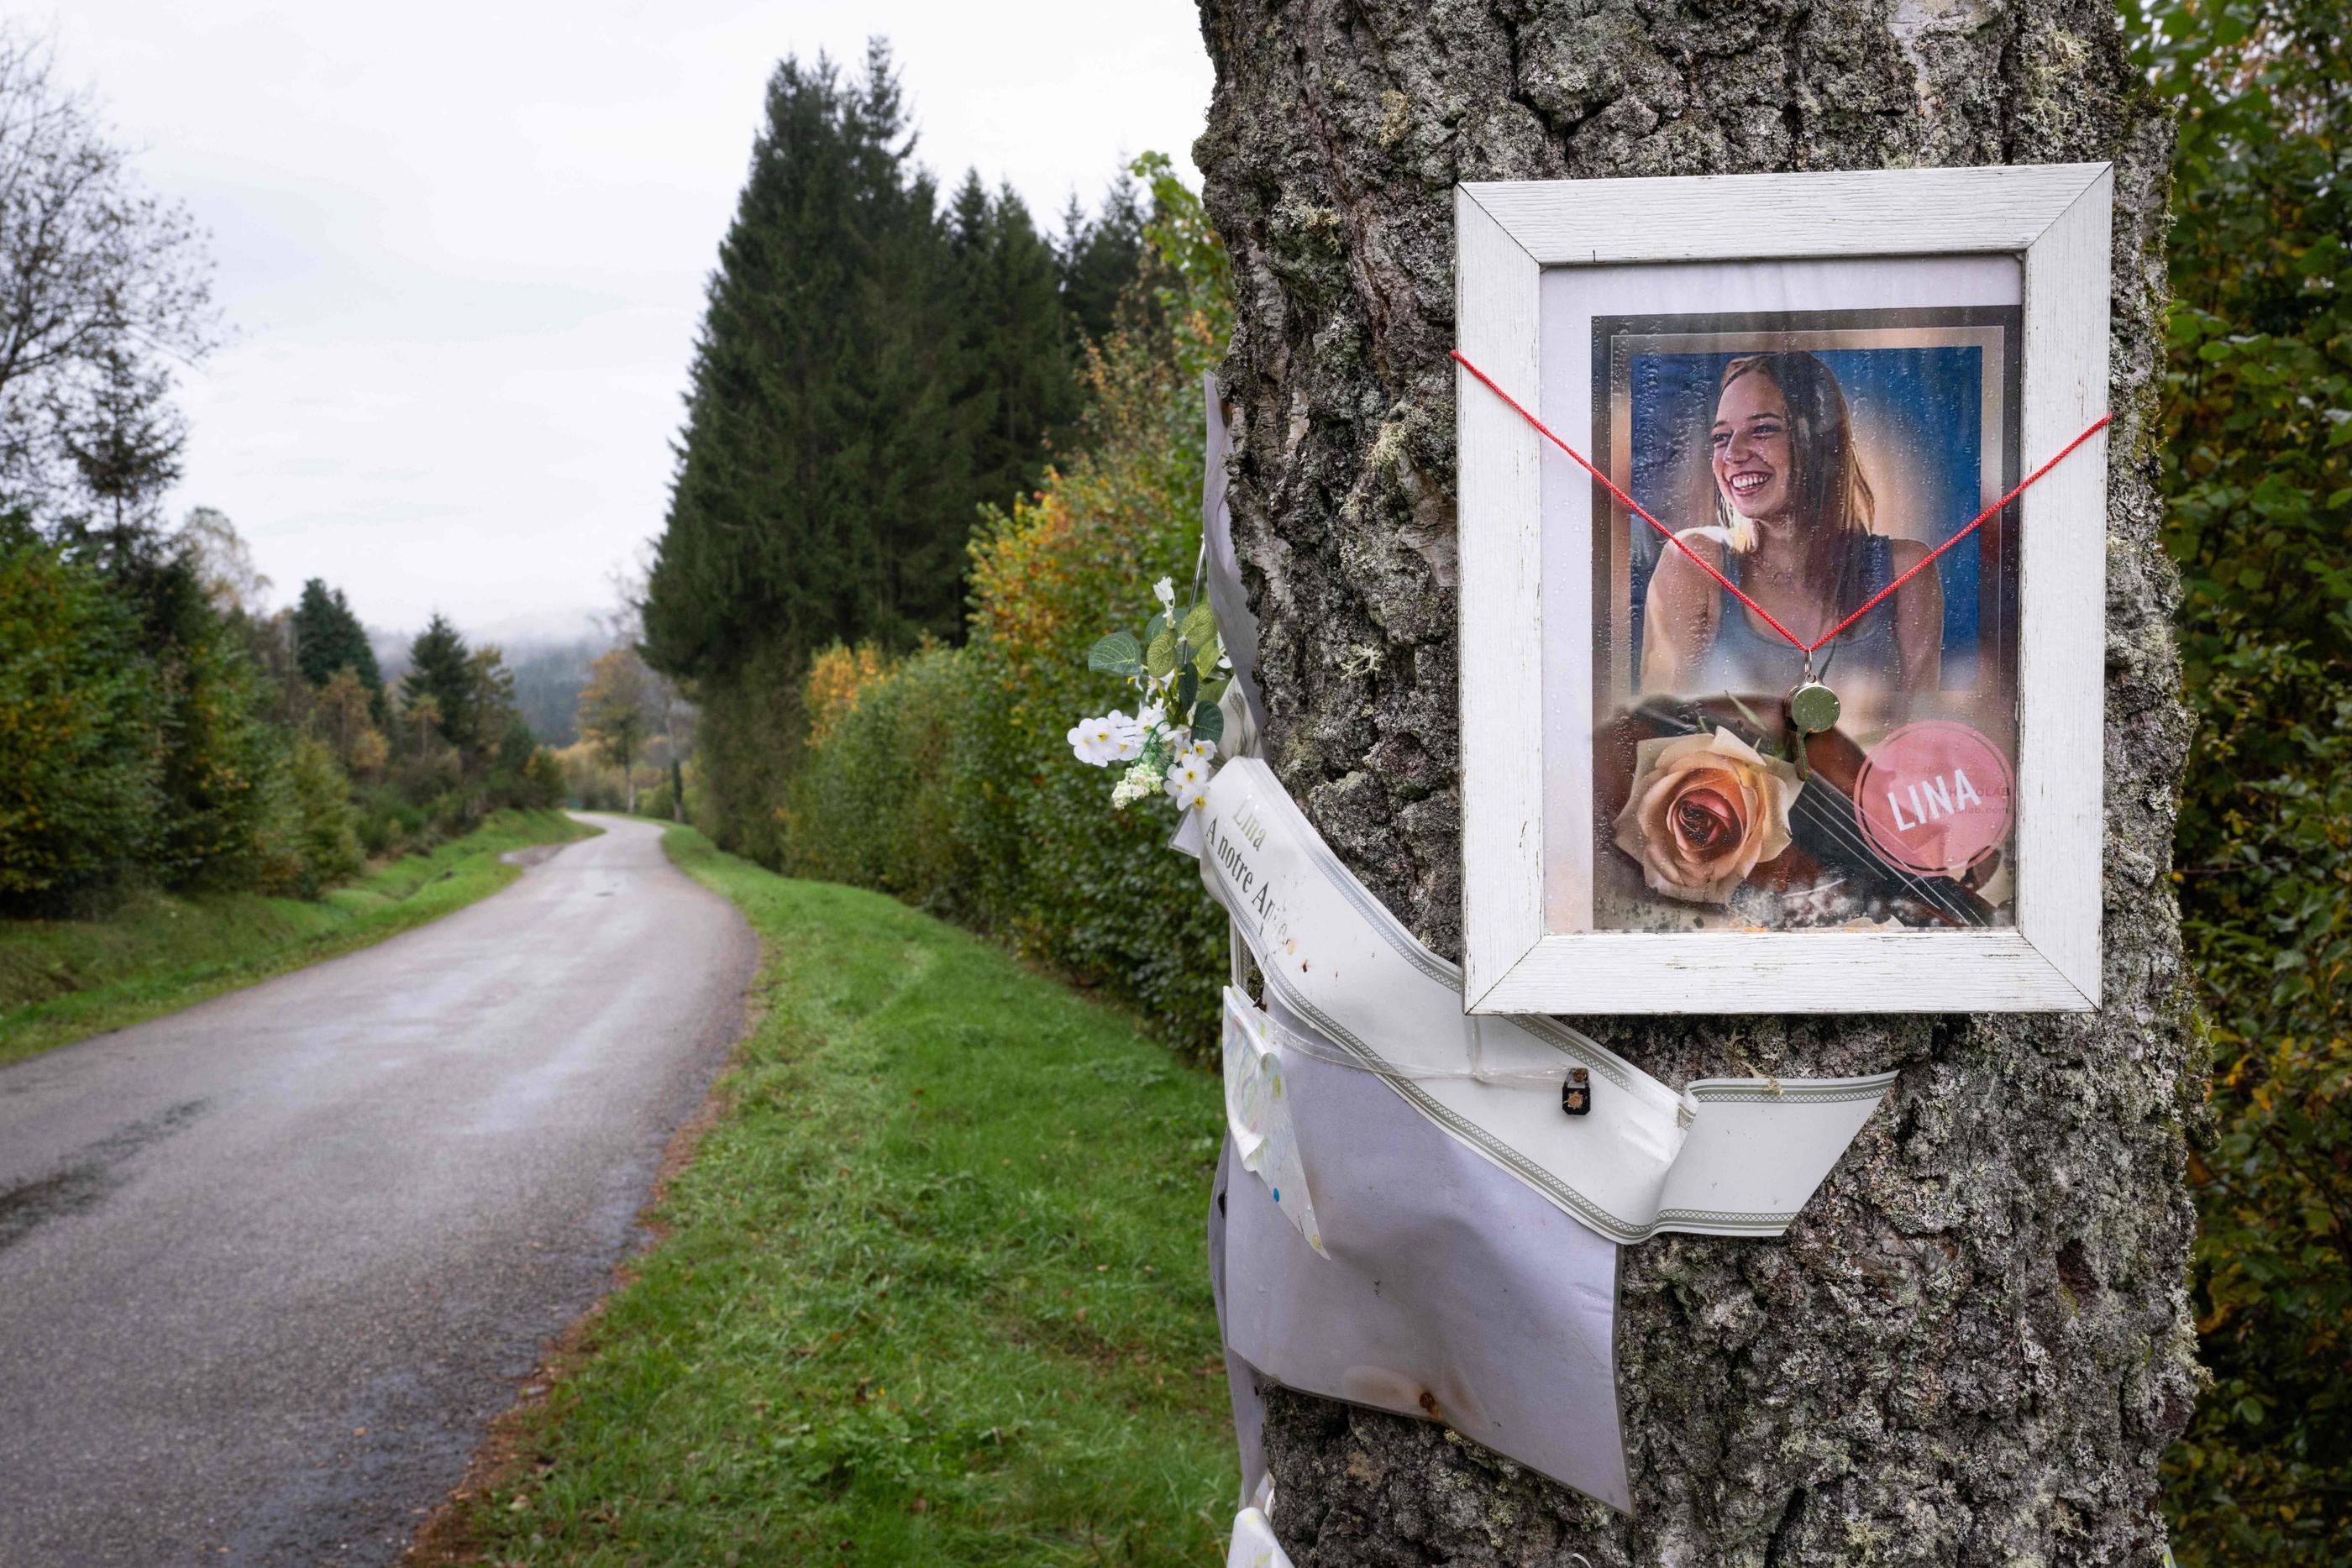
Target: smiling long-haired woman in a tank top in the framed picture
x=1796, y=532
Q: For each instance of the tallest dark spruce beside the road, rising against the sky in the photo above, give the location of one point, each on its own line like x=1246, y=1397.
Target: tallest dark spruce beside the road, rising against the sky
x=817, y=488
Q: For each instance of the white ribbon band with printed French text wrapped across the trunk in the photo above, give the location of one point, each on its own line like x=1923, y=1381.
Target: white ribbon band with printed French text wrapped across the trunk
x=1732, y=1158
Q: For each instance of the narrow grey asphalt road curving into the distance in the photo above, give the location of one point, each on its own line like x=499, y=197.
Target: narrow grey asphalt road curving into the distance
x=269, y=1266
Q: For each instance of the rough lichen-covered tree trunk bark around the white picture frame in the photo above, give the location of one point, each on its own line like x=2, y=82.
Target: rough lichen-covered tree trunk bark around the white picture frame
x=1975, y=1343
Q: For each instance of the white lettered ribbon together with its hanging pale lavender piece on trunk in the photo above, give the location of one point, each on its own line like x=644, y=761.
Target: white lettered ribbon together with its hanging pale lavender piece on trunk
x=1469, y=1228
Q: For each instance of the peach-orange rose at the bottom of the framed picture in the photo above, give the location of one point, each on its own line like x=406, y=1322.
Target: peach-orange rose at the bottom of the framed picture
x=1704, y=812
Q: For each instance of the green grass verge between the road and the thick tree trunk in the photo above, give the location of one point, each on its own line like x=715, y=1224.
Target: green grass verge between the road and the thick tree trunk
x=933, y=1292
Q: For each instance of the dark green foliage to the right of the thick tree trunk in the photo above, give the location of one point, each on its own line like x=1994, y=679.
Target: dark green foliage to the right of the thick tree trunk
x=2259, y=485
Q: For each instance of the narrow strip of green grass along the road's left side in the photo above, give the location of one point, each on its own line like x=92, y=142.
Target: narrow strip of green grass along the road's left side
x=69, y=979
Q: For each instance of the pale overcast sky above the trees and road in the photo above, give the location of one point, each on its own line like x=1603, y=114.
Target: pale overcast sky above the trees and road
x=465, y=243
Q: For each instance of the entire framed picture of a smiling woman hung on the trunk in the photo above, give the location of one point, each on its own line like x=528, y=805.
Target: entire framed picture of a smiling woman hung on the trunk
x=1782, y=591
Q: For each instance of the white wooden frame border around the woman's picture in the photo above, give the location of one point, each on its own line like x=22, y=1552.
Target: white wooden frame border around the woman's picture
x=1523, y=497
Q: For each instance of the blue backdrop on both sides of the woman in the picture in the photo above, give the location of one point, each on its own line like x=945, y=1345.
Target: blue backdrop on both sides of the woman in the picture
x=1923, y=408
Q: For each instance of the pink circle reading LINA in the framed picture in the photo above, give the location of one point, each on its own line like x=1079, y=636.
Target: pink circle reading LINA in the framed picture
x=1935, y=798
